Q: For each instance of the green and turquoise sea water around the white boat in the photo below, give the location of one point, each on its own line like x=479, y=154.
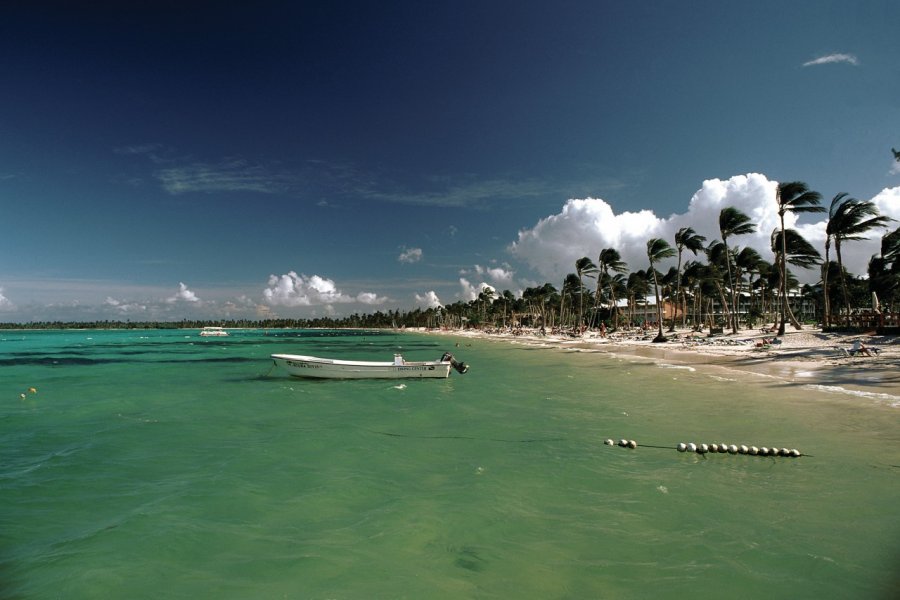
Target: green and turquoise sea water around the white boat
x=158, y=464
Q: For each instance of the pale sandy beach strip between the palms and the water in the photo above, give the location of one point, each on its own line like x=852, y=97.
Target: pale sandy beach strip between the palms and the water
x=808, y=356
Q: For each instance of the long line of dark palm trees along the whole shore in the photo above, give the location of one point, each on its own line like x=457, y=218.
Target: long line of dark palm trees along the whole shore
x=705, y=287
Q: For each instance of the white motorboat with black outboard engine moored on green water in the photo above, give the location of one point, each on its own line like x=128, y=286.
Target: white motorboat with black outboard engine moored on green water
x=329, y=368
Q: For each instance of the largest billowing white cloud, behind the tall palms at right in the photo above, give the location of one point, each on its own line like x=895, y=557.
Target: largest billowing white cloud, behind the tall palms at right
x=584, y=227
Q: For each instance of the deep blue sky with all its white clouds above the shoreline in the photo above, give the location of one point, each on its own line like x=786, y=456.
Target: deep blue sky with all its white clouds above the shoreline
x=227, y=160
